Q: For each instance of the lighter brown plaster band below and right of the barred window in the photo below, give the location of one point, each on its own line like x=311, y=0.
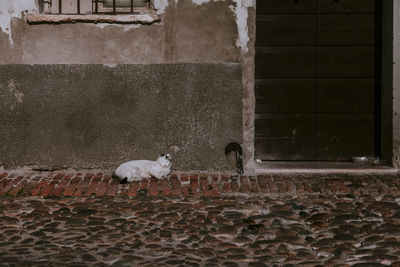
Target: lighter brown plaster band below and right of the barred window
x=187, y=33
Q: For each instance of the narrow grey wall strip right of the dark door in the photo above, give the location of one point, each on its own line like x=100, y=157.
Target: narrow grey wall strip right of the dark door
x=396, y=85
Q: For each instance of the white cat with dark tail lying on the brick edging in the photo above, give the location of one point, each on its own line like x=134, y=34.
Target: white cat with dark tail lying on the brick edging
x=135, y=170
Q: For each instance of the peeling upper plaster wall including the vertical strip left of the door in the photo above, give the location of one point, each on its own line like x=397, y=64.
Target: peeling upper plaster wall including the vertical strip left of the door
x=191, y=31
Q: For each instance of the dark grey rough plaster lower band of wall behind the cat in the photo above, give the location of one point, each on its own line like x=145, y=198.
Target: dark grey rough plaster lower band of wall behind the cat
x=91, y=116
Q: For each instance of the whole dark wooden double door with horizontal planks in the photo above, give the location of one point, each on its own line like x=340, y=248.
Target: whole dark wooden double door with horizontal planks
x=317, y=82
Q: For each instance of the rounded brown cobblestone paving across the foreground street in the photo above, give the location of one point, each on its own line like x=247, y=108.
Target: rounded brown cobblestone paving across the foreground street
x=354, y=223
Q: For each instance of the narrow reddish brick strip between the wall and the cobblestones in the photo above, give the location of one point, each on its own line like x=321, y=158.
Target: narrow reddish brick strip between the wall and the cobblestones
x=180, y=185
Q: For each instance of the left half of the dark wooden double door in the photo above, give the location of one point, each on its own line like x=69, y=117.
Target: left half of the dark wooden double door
x=285, y=86
